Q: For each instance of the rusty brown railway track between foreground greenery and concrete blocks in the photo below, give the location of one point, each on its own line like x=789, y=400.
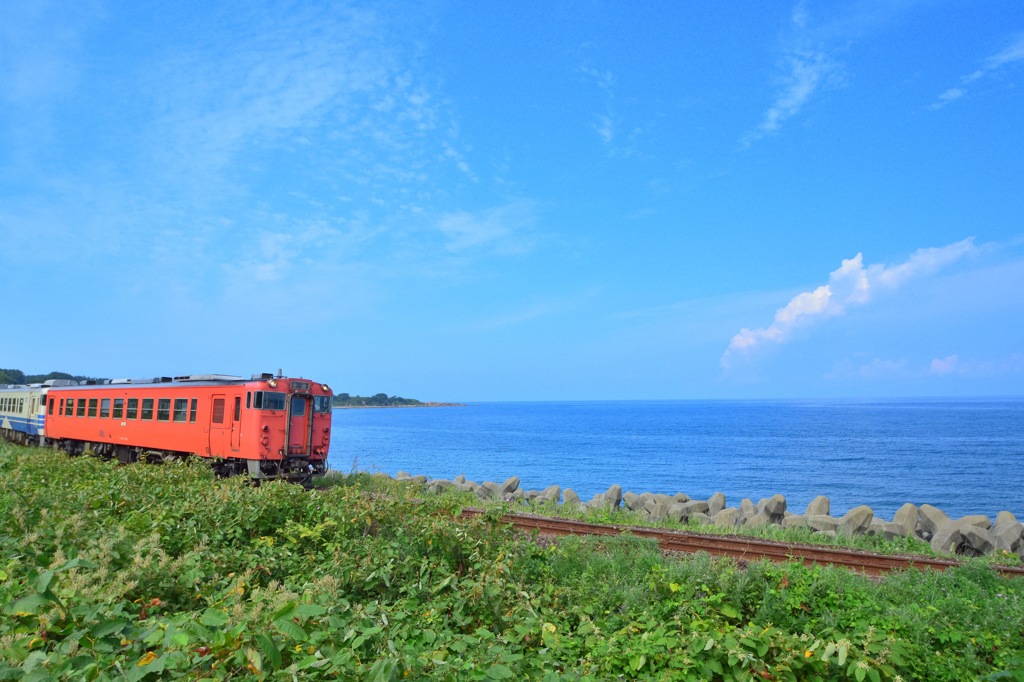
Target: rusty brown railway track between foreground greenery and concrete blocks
x=744, y=549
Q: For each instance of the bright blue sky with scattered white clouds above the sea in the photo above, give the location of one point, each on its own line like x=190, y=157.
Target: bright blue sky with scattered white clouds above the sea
x=477, y=201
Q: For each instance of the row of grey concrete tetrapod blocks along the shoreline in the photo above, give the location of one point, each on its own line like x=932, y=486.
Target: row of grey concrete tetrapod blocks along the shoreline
x=969, y=536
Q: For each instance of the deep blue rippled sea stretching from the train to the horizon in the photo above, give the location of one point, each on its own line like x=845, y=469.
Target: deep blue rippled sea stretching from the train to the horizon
x=964, y=456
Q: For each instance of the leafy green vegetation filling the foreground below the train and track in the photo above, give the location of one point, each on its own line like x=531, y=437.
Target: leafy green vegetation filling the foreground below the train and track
x=166, y=572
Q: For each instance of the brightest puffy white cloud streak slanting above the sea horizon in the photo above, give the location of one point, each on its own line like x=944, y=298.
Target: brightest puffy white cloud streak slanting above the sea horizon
x=851, y=285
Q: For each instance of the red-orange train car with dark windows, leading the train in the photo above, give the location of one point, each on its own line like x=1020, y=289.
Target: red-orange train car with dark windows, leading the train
x=267, y=428
